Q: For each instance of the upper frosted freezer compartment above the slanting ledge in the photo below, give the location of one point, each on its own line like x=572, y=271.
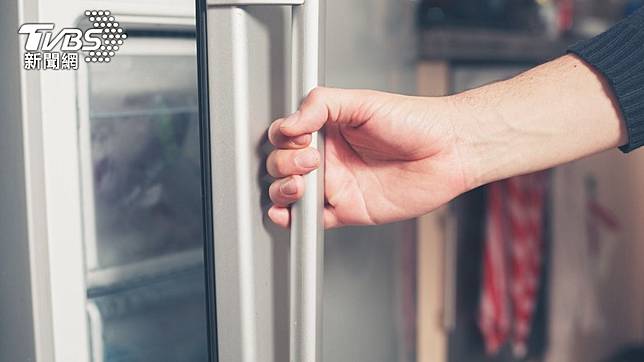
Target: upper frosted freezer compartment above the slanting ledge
x=145, y=179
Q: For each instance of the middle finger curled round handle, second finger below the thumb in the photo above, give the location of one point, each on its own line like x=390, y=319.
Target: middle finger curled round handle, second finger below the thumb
x=283, y=163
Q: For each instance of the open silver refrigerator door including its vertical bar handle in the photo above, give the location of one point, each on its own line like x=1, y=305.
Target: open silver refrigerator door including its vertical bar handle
x=261, y=58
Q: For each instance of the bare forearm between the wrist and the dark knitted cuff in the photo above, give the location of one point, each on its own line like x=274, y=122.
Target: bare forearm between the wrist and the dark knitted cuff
x=552, y=114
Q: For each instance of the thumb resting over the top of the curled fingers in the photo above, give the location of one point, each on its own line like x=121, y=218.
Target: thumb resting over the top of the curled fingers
x=328, y=105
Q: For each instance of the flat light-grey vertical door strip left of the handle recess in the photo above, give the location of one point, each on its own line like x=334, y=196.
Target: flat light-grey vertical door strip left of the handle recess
x=228, y=69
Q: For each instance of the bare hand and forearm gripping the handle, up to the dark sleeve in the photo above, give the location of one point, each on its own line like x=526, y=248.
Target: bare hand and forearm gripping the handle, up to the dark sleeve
x=391, y=157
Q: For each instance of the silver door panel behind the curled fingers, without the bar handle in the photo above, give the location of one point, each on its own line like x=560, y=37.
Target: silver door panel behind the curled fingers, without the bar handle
x=247, y=48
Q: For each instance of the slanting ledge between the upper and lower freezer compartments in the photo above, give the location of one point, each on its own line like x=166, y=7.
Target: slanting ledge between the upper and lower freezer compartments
x=124, y=277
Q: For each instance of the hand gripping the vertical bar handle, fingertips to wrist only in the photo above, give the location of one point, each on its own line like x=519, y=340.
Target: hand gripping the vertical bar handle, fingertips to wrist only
x=388, y=157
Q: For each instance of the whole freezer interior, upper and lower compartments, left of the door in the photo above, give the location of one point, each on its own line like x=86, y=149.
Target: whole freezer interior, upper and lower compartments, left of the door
x=142, y=185
